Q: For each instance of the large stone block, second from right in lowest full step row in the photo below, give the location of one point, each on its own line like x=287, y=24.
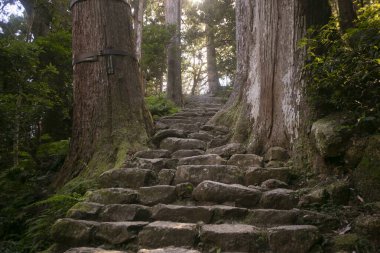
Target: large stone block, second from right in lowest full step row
x=232, y=238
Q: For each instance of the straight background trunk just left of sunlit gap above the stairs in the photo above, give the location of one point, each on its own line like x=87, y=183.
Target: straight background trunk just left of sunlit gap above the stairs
x=174, y=81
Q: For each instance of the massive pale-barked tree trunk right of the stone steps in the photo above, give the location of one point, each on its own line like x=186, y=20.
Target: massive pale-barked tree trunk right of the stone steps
x=268, y=105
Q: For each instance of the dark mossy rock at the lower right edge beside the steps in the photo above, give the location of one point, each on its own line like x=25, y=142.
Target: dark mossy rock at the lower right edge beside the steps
x=367, y=174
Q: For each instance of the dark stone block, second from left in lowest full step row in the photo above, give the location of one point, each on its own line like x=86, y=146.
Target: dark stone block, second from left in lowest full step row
x=118, y=232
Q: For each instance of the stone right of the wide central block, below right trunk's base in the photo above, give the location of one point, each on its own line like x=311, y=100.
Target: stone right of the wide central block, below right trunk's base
x=257, y=175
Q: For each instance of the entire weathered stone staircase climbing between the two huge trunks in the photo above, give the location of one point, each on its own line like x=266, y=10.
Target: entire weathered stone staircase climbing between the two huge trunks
x=194, y=192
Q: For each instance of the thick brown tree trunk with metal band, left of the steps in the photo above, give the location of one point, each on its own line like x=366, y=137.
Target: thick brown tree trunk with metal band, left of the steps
x=109, y=119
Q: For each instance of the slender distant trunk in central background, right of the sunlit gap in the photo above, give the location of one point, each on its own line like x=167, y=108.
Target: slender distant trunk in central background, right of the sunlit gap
x=212, y=71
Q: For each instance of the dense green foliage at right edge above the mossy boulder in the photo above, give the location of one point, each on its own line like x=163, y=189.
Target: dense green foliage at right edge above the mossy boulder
x=344, y=68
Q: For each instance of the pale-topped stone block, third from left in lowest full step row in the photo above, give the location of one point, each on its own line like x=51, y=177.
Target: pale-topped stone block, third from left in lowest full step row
x=163, y=234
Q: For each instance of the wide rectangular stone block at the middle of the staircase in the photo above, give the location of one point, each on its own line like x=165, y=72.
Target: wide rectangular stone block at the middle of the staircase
x=196, y=174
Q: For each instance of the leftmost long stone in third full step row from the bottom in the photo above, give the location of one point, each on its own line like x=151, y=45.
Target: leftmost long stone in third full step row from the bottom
x=112, y=196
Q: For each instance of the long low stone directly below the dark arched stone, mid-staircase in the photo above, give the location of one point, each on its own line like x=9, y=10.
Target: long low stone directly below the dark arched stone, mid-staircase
x=174, y=144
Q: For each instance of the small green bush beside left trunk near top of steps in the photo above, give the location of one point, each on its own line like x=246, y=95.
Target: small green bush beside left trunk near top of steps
x=160, y=106
